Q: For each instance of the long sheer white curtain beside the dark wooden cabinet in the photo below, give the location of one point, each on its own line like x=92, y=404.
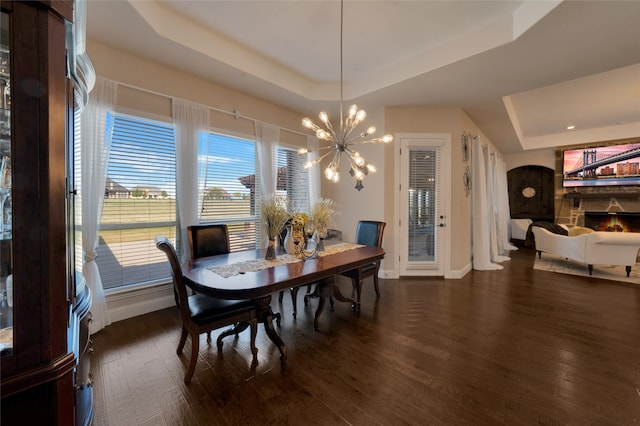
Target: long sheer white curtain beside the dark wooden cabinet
x=95, y=143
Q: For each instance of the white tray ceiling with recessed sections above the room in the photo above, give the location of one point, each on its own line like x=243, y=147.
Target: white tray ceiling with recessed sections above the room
x=522, y=70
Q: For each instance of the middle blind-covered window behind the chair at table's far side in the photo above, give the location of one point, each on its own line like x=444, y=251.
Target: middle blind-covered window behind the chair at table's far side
x=229, y=183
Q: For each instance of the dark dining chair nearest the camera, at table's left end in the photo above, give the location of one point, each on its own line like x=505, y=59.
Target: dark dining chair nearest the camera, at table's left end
x=202, y=314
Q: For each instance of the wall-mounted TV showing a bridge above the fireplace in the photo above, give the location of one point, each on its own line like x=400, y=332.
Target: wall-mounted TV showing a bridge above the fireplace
x=602, y=166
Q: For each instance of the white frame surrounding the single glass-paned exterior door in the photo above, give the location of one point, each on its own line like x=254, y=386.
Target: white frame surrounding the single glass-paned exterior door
x=445, y=165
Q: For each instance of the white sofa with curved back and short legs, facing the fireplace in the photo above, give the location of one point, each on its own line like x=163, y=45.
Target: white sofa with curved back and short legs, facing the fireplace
x=596, y=248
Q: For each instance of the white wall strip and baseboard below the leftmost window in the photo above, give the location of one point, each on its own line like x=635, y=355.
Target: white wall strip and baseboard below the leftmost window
x=128, y=304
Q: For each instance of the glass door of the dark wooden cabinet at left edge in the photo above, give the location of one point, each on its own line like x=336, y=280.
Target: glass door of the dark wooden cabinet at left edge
x=6, y=220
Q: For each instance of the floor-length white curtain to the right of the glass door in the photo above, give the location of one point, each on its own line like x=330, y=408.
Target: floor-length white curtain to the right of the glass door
x=489, y=195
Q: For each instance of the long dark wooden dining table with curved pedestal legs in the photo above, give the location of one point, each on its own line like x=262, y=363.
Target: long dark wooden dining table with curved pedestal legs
x=261, y=284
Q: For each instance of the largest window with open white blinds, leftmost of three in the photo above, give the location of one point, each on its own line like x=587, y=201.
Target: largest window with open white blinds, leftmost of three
x=139, y=203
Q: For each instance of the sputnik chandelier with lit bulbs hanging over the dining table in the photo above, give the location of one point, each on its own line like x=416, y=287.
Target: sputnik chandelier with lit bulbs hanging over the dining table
x=342, y=140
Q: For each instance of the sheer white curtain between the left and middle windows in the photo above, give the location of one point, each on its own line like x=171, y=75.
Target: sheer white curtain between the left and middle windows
x=192, y=124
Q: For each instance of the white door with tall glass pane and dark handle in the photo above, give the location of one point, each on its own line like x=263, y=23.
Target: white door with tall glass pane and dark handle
x=423, y=204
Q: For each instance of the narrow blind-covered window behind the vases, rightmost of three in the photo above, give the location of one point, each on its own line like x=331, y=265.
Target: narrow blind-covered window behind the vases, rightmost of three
x=293, y=180
